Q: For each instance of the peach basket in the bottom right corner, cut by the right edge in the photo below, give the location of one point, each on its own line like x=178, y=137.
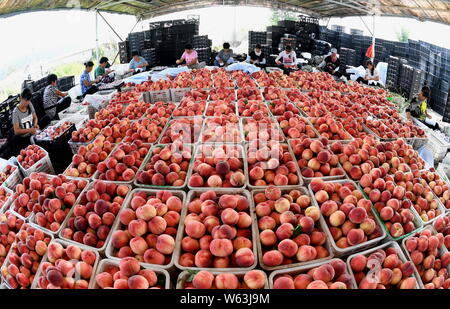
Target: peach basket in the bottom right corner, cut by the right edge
x=423, y=249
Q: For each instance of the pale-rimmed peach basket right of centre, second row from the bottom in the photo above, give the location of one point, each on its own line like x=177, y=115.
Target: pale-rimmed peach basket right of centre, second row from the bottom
x=353, y=210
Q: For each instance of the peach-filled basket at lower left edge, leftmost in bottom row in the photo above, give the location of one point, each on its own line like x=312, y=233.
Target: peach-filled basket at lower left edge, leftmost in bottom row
x=40, y=248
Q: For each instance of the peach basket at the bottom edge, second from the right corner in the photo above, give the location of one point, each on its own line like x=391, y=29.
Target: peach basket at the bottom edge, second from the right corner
x=385, y=265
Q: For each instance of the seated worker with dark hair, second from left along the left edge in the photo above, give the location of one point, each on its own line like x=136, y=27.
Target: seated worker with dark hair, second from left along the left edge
x=54, y=100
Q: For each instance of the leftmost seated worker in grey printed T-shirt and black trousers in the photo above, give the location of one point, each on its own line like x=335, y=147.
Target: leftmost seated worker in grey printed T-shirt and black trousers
x=25, y=125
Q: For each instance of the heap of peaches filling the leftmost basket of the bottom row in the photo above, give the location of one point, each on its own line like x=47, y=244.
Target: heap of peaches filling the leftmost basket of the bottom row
x=25, y=256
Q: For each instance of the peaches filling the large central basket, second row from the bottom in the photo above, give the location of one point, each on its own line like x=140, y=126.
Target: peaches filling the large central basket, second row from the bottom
x=217, y=232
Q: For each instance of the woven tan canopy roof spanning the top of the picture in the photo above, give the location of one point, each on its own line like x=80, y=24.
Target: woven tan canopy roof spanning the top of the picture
x=430, y=10
